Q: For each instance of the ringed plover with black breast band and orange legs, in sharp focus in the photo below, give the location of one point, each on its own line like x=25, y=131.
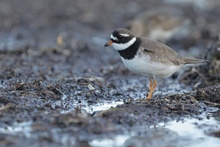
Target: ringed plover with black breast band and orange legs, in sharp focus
x=148, y=57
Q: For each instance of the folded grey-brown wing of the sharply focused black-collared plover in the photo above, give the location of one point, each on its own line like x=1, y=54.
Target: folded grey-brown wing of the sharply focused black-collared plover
x=160, y=52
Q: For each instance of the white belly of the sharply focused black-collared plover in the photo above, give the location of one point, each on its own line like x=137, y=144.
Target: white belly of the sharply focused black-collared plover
x=145, y=66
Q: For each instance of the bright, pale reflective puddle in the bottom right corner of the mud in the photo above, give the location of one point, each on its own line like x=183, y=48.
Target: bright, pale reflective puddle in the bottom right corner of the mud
x=197, y=131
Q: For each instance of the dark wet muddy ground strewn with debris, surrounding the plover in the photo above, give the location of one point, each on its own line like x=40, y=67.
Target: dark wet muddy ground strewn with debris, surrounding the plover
x=53, y=68
